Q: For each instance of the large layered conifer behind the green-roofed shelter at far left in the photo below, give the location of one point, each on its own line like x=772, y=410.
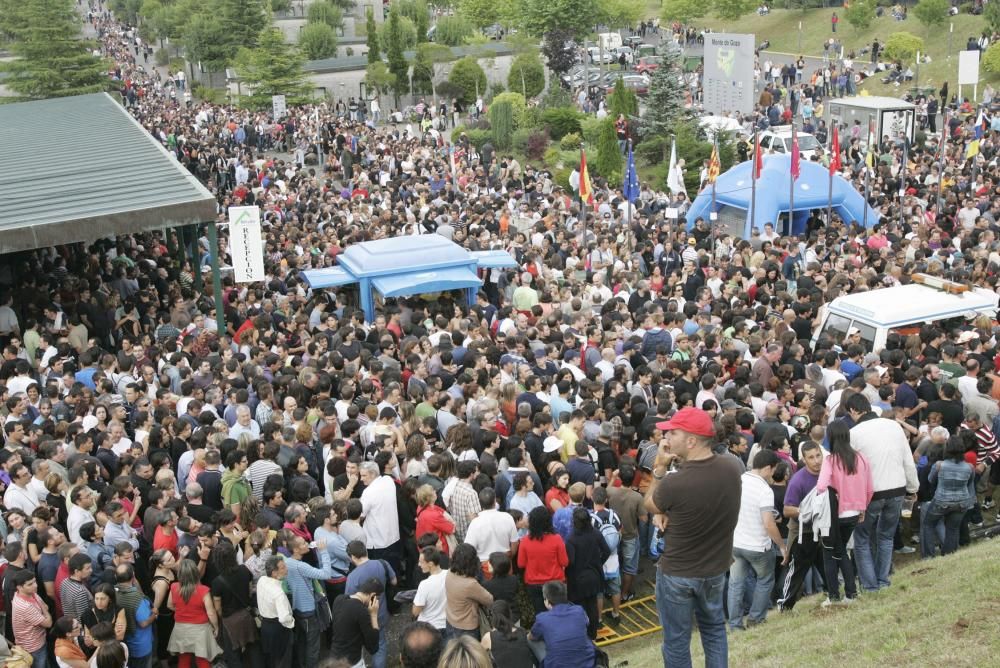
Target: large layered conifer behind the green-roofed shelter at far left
x=51, y=58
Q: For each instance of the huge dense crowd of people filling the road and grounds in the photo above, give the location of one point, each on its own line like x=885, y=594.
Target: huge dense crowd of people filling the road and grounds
x=284, y=489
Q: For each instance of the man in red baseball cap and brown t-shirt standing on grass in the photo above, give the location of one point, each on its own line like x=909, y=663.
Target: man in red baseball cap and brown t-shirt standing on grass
x=697, y=505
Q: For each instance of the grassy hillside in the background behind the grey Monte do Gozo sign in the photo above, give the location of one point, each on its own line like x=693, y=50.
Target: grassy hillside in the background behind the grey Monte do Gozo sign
x=781, y=27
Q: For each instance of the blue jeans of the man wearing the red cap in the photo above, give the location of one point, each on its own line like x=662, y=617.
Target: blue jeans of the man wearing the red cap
x=677, y=599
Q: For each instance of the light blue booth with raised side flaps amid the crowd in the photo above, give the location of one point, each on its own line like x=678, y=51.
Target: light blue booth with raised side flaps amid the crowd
x=405, y=266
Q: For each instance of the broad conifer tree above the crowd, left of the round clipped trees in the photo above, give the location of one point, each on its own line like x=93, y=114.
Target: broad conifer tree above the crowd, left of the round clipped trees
x=273, y=67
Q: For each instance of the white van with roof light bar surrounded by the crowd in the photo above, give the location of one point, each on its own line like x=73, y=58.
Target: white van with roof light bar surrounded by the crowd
x=904, y=309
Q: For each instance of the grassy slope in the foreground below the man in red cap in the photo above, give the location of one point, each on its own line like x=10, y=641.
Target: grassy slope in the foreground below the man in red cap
x=943, y=612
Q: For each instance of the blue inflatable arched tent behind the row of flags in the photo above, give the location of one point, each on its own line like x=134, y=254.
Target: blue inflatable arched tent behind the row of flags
x=812, y=189
